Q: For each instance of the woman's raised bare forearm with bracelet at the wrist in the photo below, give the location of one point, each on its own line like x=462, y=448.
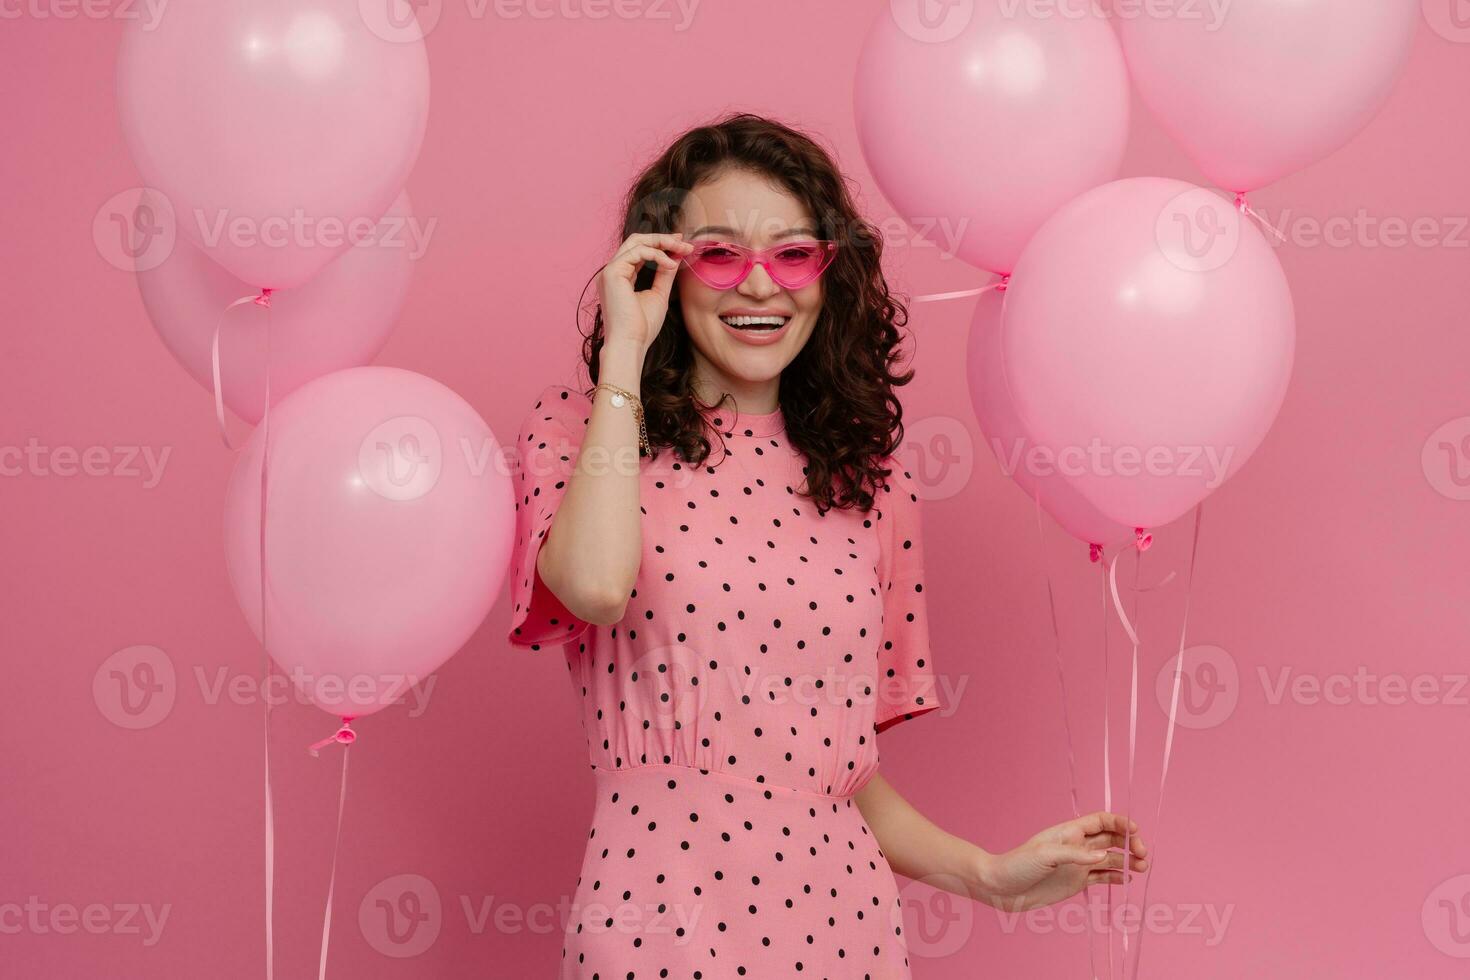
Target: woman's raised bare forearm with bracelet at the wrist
x=592, y=555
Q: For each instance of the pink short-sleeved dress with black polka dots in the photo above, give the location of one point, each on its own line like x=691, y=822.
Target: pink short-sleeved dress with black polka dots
x=734, y=710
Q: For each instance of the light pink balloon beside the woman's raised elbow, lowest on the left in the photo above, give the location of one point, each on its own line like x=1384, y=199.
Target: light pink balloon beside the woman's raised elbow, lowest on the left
x=389, y=530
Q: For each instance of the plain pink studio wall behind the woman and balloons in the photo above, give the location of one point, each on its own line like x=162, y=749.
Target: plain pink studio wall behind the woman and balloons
x=1325, y=832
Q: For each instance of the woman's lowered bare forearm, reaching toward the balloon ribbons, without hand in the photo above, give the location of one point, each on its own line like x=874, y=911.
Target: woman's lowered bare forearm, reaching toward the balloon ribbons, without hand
x=917, y=847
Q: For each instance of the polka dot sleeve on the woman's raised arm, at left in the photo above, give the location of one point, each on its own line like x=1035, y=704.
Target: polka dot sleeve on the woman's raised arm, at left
x=542, y=466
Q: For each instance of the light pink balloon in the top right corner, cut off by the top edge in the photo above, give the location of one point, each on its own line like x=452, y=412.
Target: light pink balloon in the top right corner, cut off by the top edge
x=1266, y=87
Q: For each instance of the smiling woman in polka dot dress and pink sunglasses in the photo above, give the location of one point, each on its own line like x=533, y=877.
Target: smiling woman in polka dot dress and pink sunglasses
x=721, y=541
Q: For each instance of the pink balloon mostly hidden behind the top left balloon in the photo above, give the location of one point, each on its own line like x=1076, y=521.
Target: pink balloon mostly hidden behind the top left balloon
x=340, y=318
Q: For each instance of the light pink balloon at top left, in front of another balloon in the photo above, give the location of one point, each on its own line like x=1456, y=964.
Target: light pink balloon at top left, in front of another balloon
x=273, y=127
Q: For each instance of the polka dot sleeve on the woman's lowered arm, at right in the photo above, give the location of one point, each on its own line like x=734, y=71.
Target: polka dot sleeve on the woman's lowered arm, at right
x=906, y=680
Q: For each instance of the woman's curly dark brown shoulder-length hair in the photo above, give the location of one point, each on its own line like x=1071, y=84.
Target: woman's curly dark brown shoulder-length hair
x=837, y=396
